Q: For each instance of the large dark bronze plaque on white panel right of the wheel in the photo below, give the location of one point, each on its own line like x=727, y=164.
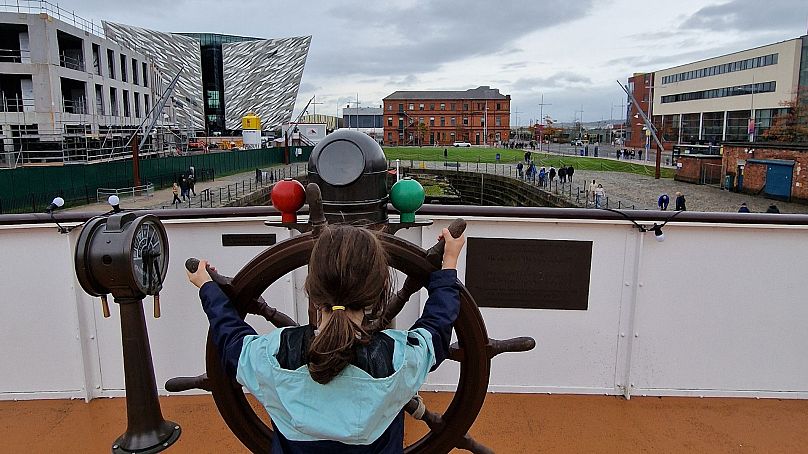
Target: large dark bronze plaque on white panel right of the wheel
x=529, y=274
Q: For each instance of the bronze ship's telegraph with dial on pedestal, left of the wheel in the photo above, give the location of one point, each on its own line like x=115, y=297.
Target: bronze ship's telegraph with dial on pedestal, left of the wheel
x=127, y=255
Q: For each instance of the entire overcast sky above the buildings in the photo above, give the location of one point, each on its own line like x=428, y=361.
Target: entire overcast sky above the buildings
x=570, y=51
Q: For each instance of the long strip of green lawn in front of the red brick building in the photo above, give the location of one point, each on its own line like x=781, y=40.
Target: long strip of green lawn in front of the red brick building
x=476, y=154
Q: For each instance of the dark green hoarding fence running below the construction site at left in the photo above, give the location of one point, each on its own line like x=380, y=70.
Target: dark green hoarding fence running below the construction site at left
x=33, y=188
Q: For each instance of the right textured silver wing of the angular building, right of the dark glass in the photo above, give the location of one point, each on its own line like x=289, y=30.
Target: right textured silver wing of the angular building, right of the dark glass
x=263, y=77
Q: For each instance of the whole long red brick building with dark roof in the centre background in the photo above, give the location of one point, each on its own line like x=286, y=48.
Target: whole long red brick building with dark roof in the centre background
x=480, y=116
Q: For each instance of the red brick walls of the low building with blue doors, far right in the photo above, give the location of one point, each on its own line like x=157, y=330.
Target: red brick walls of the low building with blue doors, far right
x=754, y=175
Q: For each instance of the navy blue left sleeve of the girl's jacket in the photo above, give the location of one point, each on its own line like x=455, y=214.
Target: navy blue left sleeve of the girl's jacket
x=227, y=328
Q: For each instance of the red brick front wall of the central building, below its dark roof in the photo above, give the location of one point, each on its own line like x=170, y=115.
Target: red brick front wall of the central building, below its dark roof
x=476, y=114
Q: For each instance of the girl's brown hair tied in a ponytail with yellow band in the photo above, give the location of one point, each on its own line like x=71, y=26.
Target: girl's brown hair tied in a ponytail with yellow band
x=348, y=267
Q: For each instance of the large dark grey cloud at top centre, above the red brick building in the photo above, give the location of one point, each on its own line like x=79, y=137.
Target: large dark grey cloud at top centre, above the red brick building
x=420, y=37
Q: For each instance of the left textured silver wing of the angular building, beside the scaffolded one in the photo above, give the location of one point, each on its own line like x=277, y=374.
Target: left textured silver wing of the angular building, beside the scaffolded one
x=170, y=53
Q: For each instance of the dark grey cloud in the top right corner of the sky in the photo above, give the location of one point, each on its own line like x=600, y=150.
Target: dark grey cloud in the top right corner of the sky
x=751, y=15
